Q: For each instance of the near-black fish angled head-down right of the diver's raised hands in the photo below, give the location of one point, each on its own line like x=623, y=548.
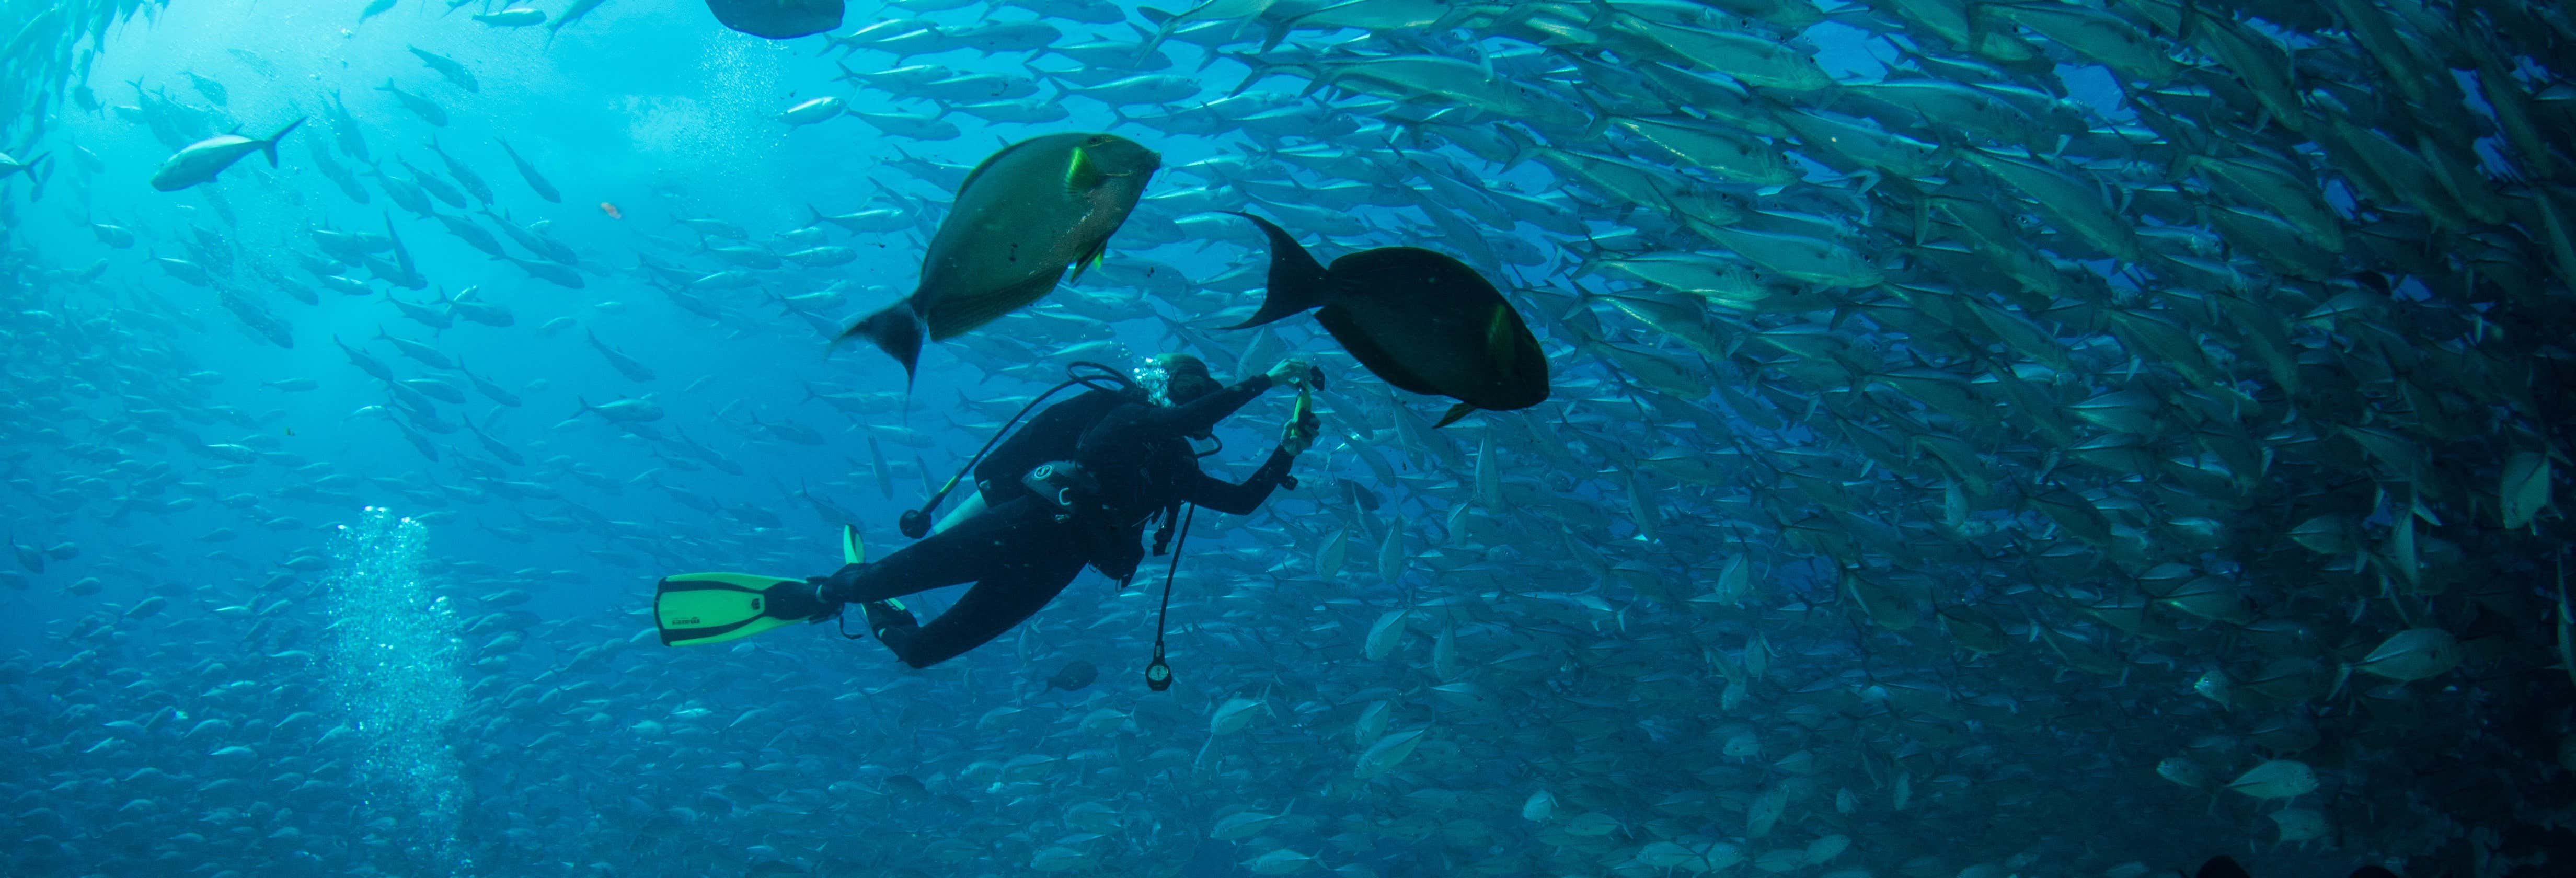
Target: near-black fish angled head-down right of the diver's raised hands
x=1416, y=318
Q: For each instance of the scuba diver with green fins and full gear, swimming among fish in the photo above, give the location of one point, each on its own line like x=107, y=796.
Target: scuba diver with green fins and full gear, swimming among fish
x=1075, y=488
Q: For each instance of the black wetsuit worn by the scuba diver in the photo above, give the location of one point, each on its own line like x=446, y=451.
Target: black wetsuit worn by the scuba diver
x=1019, y=552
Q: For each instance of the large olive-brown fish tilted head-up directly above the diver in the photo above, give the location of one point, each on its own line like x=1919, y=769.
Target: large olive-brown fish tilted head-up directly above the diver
x=1021, y=218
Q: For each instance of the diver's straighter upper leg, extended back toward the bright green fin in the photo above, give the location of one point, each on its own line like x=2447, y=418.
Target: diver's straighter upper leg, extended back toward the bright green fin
x=972, y=552
